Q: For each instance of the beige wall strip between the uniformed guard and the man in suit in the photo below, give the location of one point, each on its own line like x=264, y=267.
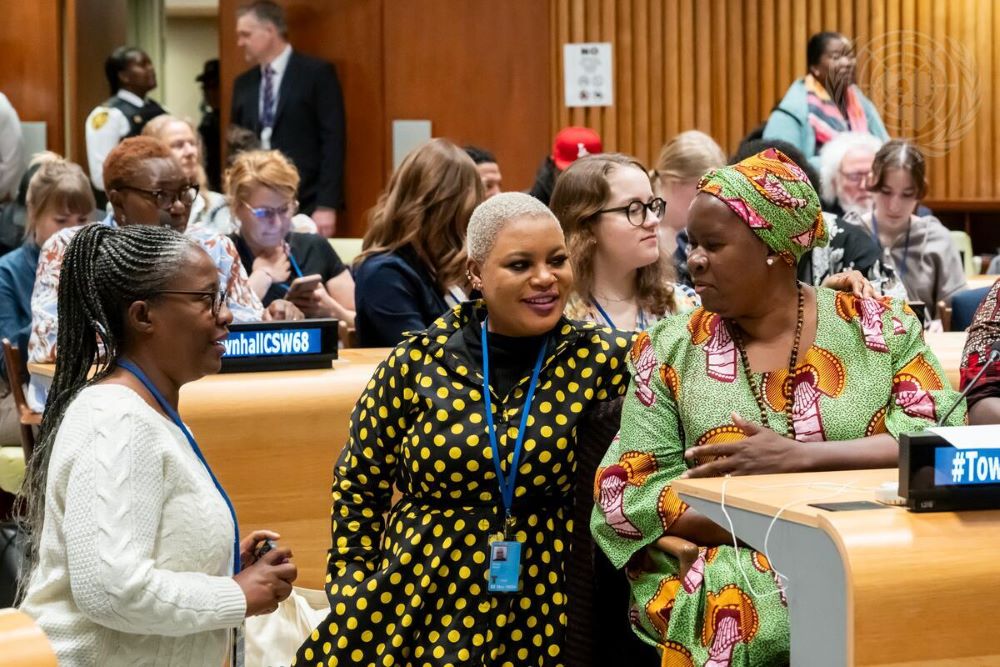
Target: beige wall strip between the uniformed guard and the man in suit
x=190, y=41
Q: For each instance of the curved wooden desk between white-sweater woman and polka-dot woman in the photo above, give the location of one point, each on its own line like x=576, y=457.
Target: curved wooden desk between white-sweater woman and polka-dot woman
x=272, y=439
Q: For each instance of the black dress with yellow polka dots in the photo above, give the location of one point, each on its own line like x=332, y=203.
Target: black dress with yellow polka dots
x=408, y=585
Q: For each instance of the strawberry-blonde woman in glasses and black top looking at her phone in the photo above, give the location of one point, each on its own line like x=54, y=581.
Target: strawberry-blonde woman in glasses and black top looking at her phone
x=261, y=187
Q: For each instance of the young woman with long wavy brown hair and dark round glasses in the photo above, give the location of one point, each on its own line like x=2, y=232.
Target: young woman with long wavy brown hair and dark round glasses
x=606, y=205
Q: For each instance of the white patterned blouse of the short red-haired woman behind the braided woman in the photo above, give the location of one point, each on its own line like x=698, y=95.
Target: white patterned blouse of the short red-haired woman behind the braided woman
x=241, y=300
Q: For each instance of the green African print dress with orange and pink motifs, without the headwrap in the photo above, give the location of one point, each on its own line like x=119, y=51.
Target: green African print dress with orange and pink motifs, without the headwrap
x=868, y=372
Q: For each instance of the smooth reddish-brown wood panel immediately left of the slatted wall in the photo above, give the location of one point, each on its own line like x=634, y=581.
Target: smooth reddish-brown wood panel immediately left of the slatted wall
x=478, y=74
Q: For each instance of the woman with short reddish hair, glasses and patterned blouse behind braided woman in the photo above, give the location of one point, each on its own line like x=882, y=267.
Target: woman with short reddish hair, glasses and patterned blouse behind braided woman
x=146, y=186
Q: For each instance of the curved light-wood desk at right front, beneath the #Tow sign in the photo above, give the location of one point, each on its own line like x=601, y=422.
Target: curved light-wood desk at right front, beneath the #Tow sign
x=871, y=587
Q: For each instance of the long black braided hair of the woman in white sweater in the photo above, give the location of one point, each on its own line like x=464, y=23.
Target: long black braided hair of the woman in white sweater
x=103, y=272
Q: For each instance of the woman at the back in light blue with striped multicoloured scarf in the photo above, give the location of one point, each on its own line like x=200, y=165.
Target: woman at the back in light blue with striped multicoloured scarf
x=826, y=101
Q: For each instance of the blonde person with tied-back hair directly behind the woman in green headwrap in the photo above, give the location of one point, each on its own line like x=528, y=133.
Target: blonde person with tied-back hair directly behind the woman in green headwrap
x=682, y=162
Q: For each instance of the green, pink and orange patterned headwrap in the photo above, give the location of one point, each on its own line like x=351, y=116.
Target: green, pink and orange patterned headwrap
x=772, y=194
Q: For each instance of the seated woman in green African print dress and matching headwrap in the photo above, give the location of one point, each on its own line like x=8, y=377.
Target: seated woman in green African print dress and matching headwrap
x=768, y=376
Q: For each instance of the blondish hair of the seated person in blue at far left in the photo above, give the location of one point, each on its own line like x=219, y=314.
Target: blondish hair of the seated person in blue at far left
x=58, y=185
